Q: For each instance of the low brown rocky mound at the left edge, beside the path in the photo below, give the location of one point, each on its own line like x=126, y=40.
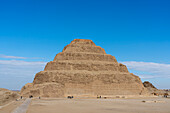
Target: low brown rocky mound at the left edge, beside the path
x=7, y=96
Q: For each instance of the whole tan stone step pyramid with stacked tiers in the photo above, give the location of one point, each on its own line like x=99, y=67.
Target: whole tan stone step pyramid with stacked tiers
x=84, y=69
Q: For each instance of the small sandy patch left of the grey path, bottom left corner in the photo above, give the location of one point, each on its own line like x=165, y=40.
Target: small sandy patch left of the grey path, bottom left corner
x=11, y=106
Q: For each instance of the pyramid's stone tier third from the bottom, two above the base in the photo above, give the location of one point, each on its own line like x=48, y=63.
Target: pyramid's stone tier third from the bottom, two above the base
x=85, y=65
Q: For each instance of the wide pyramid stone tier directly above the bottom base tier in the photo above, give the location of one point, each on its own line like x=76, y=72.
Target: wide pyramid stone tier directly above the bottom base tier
x=84, y=77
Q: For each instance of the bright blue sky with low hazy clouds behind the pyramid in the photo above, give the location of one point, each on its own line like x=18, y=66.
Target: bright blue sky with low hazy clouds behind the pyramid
x=130, y=30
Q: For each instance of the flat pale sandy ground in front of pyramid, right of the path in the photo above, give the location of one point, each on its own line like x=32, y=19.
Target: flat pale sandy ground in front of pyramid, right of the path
x=161, y=105
